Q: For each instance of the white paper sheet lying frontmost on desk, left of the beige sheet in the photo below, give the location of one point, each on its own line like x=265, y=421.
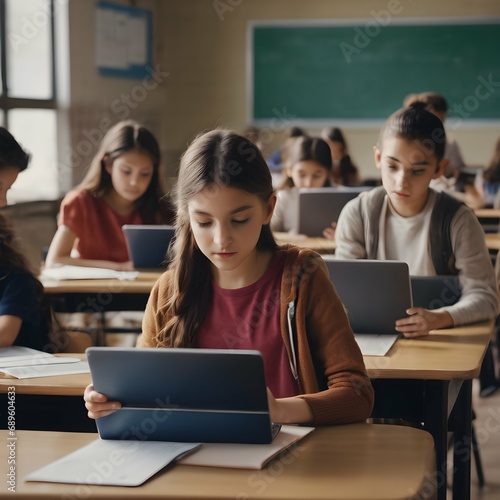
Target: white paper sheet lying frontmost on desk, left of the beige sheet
x=114, y=463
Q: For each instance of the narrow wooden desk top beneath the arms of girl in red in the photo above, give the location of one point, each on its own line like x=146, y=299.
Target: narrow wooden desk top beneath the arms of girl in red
x=142, y=284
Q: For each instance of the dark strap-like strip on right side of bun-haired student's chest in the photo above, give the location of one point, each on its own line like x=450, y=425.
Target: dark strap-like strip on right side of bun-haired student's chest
x=444, y=210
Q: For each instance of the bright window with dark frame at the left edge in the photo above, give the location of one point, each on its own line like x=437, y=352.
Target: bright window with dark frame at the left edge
x=28, y=106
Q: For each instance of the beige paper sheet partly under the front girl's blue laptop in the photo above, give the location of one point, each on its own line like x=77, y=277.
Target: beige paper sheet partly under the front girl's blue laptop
x=246, y=456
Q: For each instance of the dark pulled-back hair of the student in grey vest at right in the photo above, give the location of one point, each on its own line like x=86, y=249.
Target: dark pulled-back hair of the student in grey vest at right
x=415, y=123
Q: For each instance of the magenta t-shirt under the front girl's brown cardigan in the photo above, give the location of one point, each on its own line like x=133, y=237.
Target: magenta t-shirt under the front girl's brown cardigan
x=249, y=318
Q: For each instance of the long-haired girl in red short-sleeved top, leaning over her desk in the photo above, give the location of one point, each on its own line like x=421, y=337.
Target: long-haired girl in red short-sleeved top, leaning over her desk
x=121, y=187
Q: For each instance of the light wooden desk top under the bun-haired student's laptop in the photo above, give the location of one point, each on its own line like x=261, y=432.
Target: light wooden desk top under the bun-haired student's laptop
x=453, y=353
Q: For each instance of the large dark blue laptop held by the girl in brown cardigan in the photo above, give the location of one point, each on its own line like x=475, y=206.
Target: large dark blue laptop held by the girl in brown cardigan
x=186, y=395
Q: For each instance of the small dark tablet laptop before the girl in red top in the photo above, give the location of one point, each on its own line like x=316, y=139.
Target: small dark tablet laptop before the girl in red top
x=148, y=244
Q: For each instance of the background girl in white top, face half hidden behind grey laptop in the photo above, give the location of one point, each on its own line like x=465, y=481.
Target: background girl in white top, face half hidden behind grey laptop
x=309, y=166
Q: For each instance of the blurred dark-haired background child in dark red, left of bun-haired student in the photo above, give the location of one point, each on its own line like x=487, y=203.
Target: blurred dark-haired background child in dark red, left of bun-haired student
x=344, y=171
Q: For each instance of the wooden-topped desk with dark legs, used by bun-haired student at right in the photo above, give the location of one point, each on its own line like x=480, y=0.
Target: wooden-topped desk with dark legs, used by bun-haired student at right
x=427, y=380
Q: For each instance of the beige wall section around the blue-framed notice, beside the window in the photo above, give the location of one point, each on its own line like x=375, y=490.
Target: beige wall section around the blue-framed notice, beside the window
x=98, y=101
